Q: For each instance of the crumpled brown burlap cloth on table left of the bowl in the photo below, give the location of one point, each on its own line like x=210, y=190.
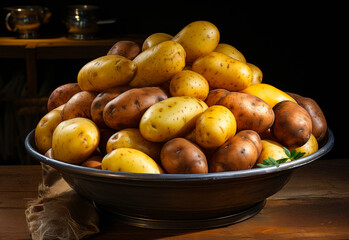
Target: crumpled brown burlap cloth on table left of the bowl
x=59, y=212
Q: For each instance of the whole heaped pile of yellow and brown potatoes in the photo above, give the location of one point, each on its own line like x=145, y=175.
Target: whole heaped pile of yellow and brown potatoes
x=178, y=104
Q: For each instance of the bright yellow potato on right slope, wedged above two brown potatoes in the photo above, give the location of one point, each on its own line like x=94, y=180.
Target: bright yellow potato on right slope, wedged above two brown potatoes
x=268, y=93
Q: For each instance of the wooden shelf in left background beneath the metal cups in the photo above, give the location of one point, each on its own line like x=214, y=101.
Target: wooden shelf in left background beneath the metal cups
x=33, y=50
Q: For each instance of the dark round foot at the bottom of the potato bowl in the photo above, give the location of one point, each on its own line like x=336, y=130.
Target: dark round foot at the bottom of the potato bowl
x=187, y=224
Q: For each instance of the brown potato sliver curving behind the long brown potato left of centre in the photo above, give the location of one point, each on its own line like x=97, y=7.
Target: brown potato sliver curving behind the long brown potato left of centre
x=101, y=100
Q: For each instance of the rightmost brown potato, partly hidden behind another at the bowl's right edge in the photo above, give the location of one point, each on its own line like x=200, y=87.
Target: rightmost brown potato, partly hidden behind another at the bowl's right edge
x=318, y=120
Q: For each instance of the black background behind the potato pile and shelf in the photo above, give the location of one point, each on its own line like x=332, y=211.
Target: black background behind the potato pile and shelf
x=298, y=46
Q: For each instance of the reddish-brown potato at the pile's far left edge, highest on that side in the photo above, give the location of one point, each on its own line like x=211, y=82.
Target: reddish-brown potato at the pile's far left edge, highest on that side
x=61, y=95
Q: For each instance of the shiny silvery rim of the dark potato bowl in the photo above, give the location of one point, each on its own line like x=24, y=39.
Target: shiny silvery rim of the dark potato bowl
x=81, y=170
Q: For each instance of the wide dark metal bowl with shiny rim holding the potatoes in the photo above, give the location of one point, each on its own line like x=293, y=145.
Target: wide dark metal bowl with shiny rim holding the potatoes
x=179, y=201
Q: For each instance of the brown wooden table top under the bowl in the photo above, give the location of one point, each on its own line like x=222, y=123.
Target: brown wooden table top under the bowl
x=313, y=205
